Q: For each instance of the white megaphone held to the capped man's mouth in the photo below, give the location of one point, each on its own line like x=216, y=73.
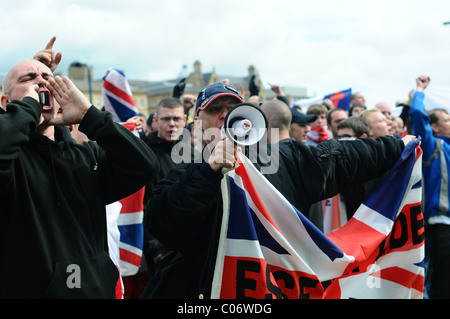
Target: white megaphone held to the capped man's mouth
x=245, y=124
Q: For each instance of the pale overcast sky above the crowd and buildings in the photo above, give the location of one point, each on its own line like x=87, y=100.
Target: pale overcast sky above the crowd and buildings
x=375, y=47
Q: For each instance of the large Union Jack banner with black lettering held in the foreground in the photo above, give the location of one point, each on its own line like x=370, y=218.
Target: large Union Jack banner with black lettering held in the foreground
x=268, y=249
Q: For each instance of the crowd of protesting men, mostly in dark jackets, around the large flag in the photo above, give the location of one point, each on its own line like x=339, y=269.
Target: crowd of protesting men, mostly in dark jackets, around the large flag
x=63, y=160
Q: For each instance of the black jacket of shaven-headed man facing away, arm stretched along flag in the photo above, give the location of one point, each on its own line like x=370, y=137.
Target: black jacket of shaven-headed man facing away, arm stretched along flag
x=313, y=187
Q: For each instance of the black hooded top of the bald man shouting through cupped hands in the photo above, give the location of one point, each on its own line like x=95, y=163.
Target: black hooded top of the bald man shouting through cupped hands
x=52, y=202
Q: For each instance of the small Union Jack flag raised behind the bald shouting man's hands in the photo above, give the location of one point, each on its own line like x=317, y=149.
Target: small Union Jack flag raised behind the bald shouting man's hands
x=117, y=96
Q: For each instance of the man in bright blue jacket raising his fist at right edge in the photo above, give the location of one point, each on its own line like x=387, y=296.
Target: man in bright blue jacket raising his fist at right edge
x=434, y=128
